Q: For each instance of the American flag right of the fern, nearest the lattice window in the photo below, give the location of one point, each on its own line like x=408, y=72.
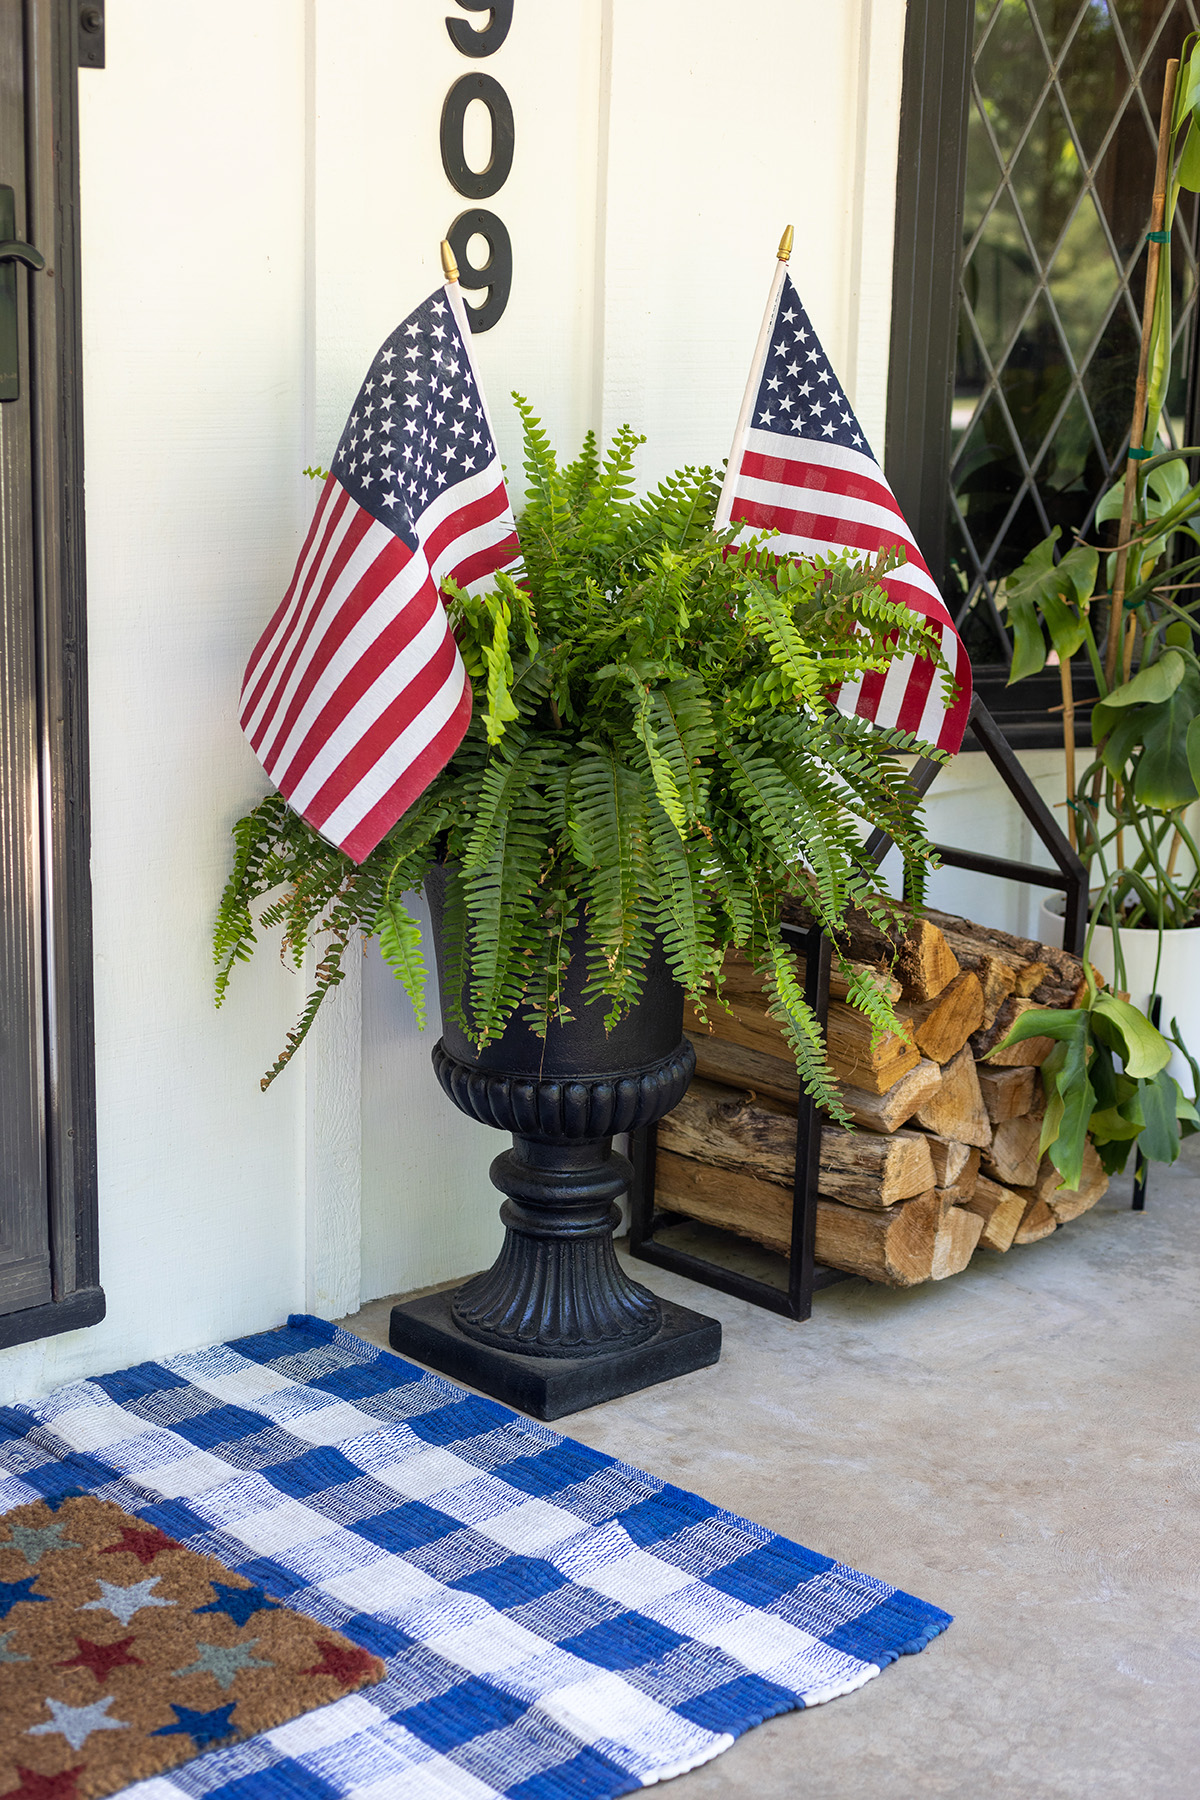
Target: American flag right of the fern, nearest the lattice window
x=801, y=465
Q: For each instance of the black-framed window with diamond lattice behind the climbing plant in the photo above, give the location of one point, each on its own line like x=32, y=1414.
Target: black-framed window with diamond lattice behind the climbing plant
x=1028, y=152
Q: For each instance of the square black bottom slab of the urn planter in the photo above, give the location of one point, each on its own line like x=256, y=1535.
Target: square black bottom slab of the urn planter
x=553, y=1387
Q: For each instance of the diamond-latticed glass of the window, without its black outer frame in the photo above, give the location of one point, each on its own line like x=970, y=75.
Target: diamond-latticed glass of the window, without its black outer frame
x=1059, y=188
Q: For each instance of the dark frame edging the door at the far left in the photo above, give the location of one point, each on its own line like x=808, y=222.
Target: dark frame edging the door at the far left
x=60, y=575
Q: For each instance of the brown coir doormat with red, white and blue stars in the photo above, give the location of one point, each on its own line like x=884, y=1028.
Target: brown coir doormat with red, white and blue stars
x=114, y=1675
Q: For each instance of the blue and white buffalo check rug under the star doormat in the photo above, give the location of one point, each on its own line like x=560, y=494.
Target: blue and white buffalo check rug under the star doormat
x=555, y=1624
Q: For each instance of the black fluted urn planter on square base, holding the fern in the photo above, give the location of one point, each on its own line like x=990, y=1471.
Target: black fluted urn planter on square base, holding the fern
x=557, y=1324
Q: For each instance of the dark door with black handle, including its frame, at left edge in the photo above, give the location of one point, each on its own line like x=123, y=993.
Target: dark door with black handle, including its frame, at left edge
x=49, y=1272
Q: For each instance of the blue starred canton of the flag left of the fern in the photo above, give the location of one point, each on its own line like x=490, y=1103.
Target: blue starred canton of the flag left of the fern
x=418, y=426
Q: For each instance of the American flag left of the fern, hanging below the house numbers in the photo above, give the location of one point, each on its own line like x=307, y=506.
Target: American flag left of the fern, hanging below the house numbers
x=355, y=696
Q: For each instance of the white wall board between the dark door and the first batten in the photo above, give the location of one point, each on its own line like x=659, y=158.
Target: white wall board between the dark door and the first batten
x=193, y=283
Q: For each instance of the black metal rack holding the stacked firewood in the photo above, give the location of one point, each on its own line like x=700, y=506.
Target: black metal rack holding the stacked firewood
x=805, y=1273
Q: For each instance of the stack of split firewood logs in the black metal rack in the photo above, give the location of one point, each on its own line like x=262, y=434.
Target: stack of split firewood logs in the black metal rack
x=945, y=1155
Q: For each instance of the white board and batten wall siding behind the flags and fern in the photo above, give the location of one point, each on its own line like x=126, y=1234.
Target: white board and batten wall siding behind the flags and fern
x=262, y=202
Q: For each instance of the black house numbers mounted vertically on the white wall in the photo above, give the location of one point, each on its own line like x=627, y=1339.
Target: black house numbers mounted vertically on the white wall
x=497, y=273
